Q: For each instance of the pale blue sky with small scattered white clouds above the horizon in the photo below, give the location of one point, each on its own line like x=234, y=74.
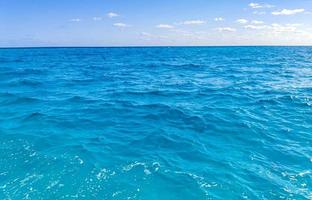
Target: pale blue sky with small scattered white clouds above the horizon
x=37, y=23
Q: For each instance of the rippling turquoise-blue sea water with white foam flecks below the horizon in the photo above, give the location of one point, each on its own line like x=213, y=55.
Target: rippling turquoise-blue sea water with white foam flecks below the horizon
x=156, y=123
